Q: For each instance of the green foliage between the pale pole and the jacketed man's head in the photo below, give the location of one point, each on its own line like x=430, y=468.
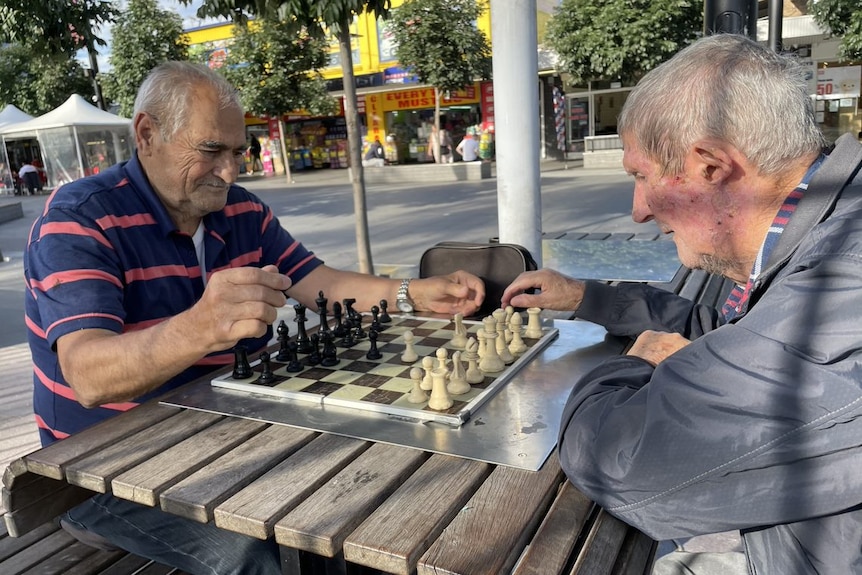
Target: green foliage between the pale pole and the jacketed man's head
x=620, y=39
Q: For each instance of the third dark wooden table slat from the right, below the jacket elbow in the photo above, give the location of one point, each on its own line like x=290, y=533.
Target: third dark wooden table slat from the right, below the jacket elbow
x=555, y=541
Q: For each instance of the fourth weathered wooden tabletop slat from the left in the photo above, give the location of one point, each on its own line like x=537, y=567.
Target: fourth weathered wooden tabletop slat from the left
x=197, y=495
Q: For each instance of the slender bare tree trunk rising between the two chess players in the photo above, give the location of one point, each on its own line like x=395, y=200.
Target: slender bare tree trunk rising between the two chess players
x=354, y=146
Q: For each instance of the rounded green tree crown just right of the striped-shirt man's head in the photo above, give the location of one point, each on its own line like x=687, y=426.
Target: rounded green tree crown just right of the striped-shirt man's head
x=276, y=67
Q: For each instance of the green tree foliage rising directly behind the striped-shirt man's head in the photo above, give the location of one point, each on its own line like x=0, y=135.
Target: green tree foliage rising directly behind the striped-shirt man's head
x=143, y=37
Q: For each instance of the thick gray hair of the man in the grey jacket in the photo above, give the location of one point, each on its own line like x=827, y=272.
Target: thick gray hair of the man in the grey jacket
x=729, y=88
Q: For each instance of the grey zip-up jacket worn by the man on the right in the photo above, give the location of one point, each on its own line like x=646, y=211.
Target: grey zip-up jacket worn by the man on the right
x=757, y=424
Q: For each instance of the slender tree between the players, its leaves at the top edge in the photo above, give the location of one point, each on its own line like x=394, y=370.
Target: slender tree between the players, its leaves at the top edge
x=315, y=15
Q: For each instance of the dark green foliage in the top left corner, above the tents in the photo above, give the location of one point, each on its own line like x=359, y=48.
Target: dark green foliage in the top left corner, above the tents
x=51, y=26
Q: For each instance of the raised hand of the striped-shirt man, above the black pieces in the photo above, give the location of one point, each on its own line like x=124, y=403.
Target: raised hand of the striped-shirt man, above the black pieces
x=239, y=303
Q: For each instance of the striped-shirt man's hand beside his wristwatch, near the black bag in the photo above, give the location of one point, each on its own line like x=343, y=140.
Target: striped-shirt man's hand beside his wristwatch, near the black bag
x=458, y=292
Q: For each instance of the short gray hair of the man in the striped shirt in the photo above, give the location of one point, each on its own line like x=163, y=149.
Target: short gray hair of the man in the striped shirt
x=165, y=94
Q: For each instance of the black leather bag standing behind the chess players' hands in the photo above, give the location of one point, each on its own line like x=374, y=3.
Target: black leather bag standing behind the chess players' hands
x=497, y=264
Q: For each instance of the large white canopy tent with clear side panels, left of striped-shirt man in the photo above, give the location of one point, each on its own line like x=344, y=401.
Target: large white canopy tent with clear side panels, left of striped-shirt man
x=76, y=139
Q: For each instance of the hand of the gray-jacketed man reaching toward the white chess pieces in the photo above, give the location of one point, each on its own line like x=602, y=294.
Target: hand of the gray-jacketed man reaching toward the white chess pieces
x=558, y=292
